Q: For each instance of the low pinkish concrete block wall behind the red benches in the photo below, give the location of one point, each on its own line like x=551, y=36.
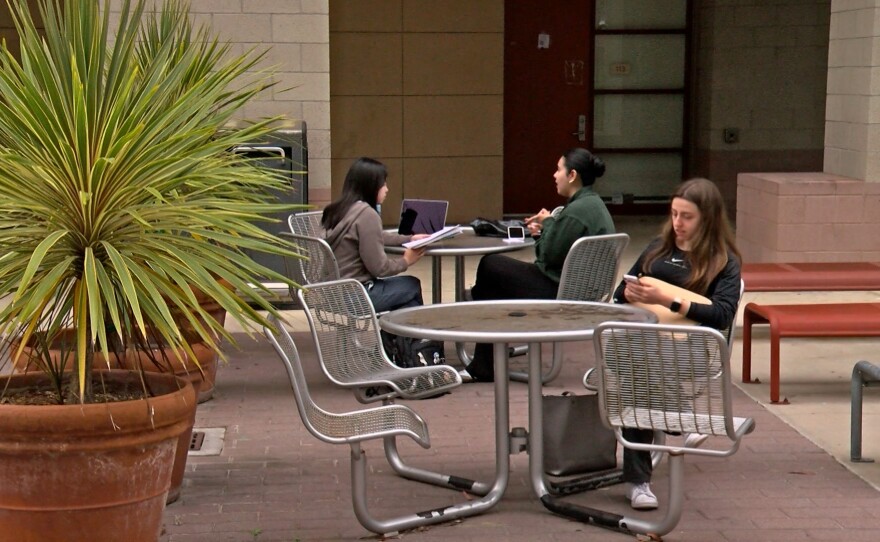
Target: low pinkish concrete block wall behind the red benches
x=807, y=217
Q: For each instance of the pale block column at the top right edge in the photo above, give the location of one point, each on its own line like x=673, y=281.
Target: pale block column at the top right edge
x=852, y=114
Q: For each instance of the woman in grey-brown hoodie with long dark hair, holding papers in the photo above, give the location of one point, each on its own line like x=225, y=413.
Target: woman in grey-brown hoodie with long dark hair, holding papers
x=353, y=229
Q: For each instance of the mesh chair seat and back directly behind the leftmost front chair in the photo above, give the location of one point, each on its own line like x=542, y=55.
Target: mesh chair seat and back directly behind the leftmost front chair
x=346, y=332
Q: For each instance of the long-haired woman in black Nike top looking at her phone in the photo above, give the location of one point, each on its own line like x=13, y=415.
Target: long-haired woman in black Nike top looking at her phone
x=696, y=250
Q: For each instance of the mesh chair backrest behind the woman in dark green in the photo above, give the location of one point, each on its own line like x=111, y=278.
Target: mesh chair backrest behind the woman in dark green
x=589, y=272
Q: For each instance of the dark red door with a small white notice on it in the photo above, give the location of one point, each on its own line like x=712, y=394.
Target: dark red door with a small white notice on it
x=547, y=82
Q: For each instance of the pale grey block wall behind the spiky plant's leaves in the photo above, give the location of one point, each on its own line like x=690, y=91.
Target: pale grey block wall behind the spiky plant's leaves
x=295, y=34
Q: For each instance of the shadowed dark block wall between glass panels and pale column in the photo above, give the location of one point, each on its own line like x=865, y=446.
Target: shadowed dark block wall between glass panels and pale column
x=762, y=68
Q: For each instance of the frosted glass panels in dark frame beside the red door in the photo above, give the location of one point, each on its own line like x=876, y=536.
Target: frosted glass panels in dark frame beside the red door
x=640, y=98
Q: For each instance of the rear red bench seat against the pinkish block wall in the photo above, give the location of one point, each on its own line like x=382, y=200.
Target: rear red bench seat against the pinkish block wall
x=813, y=276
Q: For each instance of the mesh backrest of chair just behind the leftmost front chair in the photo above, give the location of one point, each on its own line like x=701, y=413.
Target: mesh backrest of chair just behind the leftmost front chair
x=345, y=330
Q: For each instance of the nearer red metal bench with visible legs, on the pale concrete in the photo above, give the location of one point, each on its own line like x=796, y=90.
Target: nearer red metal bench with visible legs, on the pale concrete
x=810, y=320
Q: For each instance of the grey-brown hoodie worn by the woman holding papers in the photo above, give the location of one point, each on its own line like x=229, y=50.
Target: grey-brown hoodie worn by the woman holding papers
x=358, y=242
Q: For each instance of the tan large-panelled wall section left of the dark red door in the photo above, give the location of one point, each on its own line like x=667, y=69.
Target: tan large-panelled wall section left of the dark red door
x=418, y=84
